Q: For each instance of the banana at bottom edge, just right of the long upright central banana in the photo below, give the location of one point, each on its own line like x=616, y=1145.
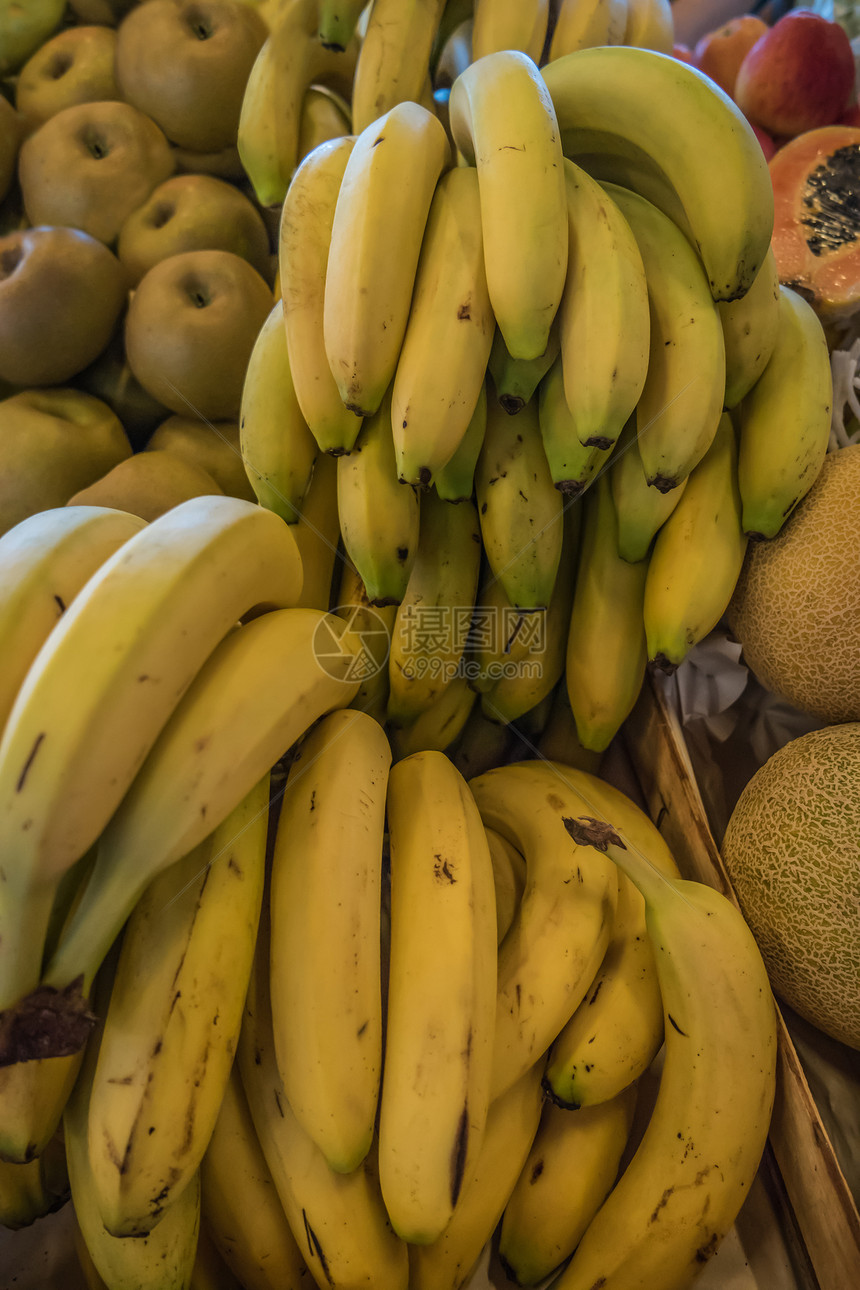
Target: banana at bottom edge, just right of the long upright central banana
x=513, y=1123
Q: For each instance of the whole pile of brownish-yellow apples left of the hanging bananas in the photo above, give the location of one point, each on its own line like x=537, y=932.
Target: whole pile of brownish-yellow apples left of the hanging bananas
x=136, y=265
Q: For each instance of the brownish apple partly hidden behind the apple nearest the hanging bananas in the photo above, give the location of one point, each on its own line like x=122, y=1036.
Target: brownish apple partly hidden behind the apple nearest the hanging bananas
x=193, y=212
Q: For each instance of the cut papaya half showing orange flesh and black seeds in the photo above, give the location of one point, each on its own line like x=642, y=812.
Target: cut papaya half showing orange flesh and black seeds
x=817, y=219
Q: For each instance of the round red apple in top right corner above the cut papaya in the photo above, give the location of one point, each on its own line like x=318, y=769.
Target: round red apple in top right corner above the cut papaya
x=797, y=77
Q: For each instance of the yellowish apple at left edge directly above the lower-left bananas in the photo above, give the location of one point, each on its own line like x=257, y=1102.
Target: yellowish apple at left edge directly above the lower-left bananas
x=52, y=444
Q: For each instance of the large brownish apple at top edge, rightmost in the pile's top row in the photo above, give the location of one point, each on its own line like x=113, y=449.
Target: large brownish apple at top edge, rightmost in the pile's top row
x=186, y=64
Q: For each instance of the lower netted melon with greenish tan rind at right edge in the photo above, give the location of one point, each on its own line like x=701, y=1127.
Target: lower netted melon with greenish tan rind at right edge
x=792, y=849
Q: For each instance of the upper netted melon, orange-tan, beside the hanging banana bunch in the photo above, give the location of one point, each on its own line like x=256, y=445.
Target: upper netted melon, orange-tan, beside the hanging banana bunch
x=796, y=610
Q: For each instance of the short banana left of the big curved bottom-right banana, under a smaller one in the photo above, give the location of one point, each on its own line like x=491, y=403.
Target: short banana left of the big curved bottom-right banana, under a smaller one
x=571, y=1169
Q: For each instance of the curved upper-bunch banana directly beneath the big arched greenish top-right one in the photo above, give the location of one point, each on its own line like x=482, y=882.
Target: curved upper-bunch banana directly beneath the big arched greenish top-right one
x=683, y=398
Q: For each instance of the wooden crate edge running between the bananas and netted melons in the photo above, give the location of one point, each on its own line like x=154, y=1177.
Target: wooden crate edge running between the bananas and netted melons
x=822, y=1204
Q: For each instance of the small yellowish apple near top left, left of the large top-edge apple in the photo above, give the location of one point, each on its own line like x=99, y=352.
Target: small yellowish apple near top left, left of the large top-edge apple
x=75, y=66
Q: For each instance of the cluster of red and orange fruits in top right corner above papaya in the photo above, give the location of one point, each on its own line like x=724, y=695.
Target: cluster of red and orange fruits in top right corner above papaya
x=795, y=77
